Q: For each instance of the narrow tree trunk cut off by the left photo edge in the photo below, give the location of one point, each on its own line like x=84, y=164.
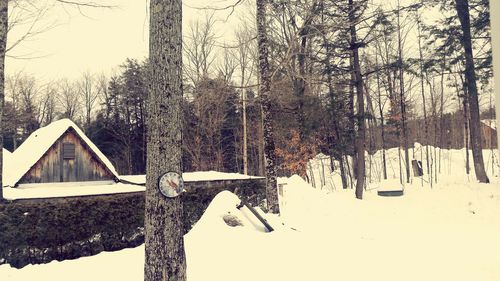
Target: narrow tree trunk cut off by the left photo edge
x=3, y=42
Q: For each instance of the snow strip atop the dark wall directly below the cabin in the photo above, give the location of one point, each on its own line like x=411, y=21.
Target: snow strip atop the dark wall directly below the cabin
x=56, y=190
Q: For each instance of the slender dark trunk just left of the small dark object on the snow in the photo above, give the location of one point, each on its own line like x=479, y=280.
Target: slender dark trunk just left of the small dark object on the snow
x=358, y=83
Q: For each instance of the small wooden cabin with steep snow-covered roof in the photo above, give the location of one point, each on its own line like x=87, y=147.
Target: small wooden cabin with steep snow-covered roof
x=58, y=153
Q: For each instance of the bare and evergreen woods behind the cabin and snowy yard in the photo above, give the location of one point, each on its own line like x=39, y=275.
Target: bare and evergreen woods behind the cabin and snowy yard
x=344, y=78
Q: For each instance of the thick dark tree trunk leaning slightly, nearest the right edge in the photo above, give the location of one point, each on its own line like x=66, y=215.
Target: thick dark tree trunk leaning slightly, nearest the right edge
x=462, y=7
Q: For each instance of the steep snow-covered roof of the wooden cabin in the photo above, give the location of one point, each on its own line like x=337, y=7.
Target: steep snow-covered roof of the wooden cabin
x=35, y=146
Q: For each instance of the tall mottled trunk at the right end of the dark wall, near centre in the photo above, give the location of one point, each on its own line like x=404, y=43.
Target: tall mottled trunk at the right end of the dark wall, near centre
x=267, y=109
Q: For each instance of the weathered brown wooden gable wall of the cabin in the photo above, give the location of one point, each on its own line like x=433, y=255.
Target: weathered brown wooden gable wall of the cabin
x=53, y=168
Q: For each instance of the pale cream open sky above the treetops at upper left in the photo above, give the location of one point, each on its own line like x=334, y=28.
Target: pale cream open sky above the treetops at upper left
x=95, y=40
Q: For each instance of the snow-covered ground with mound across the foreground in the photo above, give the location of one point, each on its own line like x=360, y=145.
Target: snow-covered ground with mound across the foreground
x=449, y=232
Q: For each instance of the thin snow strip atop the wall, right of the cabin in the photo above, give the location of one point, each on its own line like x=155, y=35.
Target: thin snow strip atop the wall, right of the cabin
x=194, y=177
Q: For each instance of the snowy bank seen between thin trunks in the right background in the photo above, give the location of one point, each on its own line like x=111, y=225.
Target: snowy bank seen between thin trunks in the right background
x=450, y=165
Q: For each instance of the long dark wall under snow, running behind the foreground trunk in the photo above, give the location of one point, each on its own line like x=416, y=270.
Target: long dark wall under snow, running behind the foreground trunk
x=36, y=231
